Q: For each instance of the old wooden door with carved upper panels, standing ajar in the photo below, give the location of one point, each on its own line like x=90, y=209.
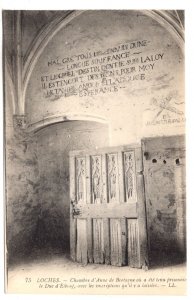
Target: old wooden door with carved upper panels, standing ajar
x=107, y=215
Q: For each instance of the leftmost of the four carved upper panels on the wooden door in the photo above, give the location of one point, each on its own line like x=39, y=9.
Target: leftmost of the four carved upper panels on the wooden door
x=81, y=186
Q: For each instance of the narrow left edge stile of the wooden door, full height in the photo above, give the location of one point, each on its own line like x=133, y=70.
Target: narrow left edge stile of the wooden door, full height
x=73, y=222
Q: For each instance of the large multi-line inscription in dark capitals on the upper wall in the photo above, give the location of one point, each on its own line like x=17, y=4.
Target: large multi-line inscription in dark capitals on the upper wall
x=99, y=72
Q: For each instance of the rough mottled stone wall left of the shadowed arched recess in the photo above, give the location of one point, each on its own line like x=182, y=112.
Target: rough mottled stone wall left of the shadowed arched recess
x=22, y=203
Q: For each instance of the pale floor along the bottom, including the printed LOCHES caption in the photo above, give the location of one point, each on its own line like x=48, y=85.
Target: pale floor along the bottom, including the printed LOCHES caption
x=55, y=273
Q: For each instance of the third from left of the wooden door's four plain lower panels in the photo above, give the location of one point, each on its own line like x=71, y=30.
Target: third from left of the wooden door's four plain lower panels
x=115, y=238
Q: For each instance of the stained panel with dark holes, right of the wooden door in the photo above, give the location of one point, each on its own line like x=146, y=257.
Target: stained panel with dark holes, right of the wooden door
x=165, y=186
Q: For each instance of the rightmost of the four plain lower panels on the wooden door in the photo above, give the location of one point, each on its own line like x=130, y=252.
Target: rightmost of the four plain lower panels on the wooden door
x=133, y=244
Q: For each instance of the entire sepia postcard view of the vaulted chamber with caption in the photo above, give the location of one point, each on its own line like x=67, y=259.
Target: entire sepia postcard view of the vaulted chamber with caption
x=95, y=154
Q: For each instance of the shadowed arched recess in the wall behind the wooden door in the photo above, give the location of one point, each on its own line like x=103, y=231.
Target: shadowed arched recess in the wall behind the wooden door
x=54, y=143
